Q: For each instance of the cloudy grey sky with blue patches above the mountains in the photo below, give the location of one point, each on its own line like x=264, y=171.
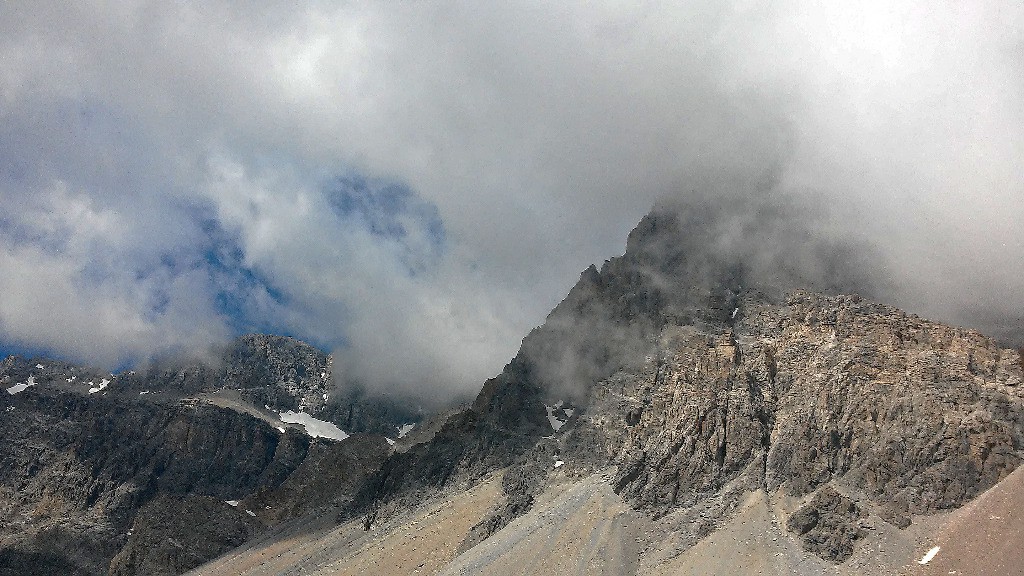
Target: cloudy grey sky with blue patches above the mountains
x=415, y=185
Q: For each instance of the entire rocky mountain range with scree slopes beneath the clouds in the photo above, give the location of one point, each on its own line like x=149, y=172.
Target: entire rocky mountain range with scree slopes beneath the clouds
x=727, y=397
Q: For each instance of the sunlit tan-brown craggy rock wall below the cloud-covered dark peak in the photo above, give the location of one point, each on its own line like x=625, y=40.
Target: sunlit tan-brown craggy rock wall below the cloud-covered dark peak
x=912, y=416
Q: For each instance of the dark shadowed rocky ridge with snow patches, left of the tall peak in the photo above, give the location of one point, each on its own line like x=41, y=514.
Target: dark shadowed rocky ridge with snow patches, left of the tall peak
x=137, y=469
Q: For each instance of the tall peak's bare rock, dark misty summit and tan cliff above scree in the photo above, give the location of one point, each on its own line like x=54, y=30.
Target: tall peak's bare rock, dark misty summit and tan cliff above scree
x=697, y=374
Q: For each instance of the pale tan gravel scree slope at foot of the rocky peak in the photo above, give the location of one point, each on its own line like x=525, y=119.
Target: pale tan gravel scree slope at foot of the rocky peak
x=582, y=527
